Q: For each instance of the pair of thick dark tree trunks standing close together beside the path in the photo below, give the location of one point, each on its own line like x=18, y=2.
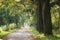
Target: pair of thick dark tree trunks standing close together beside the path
x=44, y=17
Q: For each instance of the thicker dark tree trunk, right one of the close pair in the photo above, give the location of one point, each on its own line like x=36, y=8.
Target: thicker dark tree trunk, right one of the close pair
x=47, y=19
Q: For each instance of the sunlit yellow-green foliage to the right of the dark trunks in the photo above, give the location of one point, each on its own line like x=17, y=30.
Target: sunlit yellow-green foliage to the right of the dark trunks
x=55, y=16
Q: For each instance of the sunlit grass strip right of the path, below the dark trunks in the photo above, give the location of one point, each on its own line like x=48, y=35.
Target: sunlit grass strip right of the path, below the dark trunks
x=41, y=35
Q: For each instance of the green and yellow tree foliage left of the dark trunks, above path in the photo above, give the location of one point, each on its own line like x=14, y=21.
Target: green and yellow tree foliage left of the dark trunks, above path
x=17, y=11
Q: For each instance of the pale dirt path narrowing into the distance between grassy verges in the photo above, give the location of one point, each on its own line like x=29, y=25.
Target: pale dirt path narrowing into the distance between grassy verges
x=21, y=34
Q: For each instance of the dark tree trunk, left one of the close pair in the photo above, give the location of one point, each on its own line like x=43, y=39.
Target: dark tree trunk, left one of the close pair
x=39, y=16
